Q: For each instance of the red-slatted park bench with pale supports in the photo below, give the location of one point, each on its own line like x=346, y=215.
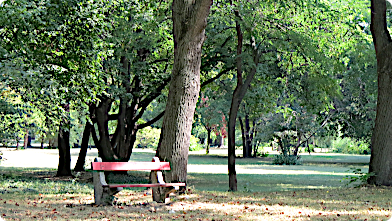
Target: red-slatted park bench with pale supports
x=104, y=192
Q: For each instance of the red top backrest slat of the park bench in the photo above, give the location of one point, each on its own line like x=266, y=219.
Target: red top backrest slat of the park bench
x=130, y=166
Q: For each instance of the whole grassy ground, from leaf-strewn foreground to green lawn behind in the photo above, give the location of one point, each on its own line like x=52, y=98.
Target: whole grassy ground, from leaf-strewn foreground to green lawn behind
x=312, y=191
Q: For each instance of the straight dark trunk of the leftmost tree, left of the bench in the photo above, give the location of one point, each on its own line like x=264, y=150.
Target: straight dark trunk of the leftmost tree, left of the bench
x=64, y=167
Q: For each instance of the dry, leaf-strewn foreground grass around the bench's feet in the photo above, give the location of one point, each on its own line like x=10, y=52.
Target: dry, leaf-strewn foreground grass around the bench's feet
x=36, y=195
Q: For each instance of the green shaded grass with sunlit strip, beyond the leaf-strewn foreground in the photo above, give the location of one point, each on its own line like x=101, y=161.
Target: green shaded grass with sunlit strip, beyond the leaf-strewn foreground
x=260, y=175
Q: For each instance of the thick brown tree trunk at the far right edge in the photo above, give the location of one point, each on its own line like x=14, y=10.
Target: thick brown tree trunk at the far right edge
x=381, y=156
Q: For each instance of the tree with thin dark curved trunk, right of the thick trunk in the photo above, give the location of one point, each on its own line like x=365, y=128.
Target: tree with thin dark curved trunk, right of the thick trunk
x=290, y=35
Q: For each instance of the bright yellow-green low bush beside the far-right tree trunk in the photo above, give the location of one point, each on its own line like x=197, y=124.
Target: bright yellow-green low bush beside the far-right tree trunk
x=349, y=146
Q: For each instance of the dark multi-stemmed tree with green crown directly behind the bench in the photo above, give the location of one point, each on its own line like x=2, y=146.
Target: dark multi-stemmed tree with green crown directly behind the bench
x=136, y=74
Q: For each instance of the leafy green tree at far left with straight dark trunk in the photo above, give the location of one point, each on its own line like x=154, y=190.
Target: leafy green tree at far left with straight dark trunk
x=52, y=50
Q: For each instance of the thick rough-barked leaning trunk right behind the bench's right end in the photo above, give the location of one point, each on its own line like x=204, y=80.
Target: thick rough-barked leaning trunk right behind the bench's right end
x=189, y=22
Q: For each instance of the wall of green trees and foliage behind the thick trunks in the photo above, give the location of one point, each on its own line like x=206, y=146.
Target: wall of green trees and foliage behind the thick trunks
x=292, y=75
